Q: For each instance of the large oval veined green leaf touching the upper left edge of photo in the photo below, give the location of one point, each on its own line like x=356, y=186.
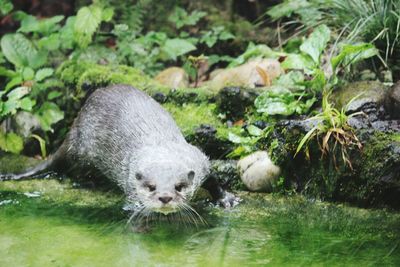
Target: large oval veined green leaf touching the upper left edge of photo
x=21, y=52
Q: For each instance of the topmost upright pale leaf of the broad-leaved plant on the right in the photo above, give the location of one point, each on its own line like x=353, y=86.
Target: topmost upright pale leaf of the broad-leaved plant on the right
x=316, y=42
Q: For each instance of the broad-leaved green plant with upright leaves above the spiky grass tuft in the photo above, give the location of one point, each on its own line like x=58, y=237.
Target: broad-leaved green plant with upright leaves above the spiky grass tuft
x=297, y=91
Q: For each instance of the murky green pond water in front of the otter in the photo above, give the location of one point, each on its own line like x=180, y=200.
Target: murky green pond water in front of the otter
x=54, y=222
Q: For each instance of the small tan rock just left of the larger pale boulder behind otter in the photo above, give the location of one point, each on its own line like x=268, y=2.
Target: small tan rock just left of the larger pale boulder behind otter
x=173, y=77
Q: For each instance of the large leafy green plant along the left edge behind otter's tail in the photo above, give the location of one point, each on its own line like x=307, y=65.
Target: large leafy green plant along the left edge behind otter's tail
x=27, y=66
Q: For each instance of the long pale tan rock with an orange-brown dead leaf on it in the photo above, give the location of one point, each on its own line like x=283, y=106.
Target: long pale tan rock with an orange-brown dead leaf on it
x=258, y=72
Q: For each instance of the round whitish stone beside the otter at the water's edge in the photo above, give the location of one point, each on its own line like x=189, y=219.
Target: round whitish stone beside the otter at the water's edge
x=258, y=172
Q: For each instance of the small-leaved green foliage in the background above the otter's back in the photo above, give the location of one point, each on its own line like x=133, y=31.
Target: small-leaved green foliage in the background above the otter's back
x=152, y=50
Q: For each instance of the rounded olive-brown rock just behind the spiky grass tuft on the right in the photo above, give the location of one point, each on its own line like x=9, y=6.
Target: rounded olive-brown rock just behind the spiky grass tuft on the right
x=367, y=96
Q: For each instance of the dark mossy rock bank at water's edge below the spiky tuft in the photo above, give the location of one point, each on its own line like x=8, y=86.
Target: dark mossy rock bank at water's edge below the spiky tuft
x=374, y=179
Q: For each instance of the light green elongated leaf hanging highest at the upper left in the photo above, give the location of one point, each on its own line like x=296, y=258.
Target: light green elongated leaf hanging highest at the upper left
x=86, y=23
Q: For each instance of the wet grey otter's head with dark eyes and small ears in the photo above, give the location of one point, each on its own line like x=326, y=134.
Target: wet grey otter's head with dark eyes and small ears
x=163, y=189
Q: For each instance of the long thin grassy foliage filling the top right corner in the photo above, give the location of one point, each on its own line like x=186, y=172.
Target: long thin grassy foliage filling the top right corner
x=376, y=22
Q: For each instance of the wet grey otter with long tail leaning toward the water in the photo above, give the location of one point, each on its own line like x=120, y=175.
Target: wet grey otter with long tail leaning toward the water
x=126, y=136
